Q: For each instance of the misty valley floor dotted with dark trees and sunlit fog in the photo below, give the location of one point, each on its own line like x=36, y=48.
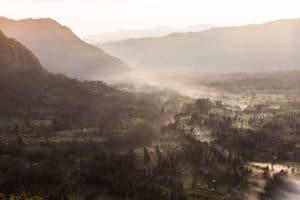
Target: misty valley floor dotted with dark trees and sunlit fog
x=229, y=146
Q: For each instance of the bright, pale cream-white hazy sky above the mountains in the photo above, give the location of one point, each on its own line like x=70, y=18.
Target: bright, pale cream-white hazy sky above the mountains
x=93, y=16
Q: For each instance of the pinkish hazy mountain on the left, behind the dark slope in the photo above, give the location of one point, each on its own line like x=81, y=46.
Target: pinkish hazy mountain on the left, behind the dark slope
x=60, y=50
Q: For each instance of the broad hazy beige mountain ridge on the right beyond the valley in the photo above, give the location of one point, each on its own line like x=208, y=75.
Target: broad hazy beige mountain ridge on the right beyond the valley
x=251, y=48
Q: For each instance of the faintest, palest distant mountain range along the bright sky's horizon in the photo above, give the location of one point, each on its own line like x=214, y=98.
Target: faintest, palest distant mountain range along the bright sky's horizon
x=132, y=34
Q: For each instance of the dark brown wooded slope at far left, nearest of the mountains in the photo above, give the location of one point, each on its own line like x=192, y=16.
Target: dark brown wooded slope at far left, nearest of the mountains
x=26, y=88
